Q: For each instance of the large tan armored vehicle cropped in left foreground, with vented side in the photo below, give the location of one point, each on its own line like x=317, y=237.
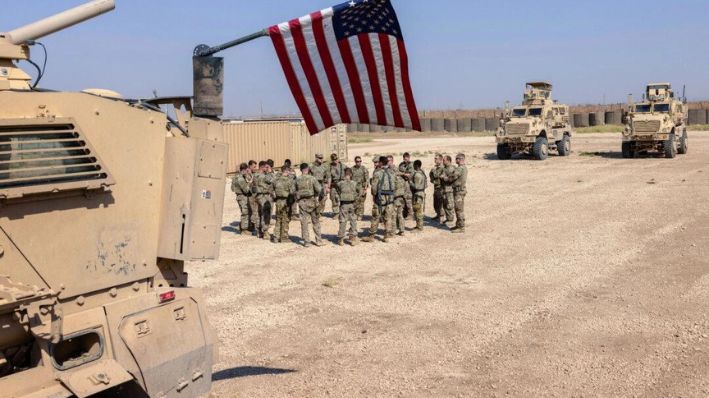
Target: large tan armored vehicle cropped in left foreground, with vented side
x=102, y=200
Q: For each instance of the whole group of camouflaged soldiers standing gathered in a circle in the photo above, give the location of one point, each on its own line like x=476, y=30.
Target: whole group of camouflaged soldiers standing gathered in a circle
x=398, y=194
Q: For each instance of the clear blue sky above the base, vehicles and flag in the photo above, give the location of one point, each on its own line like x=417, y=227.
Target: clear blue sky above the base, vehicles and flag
x=463, y=53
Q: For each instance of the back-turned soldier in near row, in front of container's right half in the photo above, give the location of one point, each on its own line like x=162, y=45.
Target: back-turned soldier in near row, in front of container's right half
x=308, y=189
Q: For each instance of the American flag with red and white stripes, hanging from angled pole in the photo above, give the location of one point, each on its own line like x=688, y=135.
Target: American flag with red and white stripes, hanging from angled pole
x=348, y=64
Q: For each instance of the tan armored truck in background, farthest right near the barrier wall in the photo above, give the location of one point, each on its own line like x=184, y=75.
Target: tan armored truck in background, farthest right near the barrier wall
x=658, y=123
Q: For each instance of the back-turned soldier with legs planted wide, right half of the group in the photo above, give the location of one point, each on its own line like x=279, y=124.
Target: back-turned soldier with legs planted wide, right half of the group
x=383, y=186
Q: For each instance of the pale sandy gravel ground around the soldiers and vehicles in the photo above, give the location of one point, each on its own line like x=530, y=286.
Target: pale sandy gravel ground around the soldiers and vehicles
x=578, y=276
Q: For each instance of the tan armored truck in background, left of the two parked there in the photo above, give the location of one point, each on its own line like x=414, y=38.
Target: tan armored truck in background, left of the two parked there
x=537, y=126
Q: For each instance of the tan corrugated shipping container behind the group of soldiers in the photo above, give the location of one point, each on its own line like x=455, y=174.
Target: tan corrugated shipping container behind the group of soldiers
x=280, y=140
